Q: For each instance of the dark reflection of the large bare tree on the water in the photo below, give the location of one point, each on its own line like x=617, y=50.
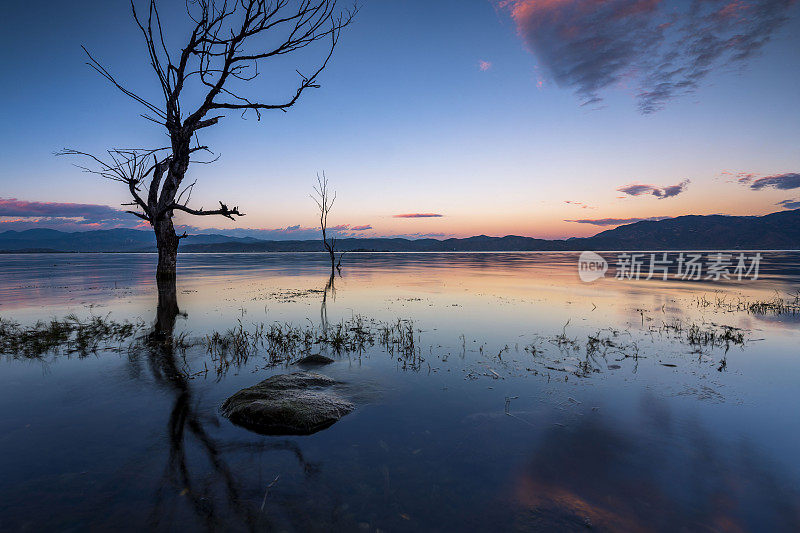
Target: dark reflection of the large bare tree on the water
x=216, y=496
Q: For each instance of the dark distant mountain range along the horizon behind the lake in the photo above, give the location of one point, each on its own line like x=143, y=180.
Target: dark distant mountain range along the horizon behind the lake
x=776, y=231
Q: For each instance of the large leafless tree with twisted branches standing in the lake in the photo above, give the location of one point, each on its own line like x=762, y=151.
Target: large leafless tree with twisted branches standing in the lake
x=227, y=42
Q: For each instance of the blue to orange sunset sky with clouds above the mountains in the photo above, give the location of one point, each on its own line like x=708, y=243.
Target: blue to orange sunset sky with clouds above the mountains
x=544, y=118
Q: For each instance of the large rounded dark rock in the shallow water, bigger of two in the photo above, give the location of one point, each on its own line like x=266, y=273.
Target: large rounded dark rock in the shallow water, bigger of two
x=301, y=403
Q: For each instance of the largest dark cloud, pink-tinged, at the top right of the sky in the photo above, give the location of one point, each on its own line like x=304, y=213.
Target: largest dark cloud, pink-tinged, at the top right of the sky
x=663, y=49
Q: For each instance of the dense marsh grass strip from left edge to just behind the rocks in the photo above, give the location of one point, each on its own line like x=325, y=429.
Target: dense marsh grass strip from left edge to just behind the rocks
x=278, y=343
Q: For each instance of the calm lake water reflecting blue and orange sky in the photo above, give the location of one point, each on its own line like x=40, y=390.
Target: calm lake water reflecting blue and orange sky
x=532, y=400
